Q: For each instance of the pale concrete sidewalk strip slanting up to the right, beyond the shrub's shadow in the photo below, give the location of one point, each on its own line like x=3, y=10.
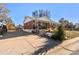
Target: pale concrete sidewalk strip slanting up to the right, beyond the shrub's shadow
x=66, y=48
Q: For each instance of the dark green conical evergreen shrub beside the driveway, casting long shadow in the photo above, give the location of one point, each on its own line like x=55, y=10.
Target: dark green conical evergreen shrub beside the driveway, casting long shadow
x=59, y=34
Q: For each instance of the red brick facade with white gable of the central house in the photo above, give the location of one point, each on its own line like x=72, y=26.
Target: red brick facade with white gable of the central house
x=31, y=24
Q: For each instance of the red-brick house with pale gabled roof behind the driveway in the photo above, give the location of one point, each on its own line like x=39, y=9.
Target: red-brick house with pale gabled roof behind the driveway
x=41, y=22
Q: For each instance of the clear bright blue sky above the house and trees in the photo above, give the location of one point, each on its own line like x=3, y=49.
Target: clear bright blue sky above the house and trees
x=68, y=11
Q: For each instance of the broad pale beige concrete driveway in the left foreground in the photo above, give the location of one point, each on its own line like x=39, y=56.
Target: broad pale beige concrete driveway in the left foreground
x=20, y=44
